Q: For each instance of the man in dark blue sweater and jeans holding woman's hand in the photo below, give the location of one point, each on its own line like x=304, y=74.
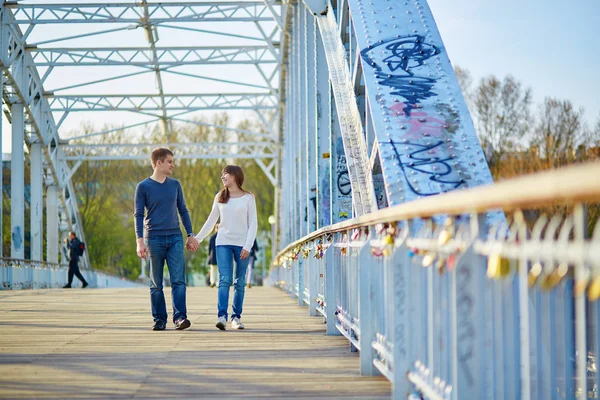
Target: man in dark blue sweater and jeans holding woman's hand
x=159, y=237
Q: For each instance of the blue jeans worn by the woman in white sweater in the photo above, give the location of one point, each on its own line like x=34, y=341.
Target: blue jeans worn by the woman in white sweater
x=225, y=257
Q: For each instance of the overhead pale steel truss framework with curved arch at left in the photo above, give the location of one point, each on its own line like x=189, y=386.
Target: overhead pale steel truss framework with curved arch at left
x=25, y=49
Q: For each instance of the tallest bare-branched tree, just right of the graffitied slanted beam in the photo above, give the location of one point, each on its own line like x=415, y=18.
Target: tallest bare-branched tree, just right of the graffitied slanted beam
x=502, y=114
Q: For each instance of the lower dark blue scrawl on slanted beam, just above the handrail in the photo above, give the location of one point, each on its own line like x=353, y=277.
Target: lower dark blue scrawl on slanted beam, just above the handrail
x=420, y=159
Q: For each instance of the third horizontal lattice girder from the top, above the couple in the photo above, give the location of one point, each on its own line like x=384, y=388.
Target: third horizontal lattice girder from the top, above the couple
x=151, y=102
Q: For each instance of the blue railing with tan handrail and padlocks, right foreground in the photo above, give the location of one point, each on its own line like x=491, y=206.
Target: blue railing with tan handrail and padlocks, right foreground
x=467, y=295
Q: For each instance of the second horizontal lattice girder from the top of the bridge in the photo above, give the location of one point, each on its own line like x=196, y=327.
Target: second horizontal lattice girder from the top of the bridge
x=142, y=56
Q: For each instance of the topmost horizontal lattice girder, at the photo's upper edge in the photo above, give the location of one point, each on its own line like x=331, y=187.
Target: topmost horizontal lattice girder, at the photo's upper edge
x=210, y=11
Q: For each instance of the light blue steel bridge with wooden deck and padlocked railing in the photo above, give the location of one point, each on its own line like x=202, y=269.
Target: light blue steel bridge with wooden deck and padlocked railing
x=404, y=270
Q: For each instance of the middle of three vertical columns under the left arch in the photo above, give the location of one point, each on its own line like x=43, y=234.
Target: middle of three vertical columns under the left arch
x=36, y=208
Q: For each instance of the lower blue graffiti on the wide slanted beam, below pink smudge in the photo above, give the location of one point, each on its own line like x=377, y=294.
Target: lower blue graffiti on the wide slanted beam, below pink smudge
x=422, y=164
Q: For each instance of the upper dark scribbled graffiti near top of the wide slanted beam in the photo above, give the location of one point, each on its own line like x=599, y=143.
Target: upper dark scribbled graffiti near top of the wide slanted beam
x=396, y=61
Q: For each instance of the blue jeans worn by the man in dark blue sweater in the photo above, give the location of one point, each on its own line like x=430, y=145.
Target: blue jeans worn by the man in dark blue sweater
x=170, y=249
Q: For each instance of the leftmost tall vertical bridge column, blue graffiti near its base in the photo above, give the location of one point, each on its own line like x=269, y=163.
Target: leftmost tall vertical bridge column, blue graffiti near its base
x=17, y=184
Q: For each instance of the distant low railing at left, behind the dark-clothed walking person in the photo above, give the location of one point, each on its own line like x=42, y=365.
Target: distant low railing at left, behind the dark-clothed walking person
x=18, y=274
